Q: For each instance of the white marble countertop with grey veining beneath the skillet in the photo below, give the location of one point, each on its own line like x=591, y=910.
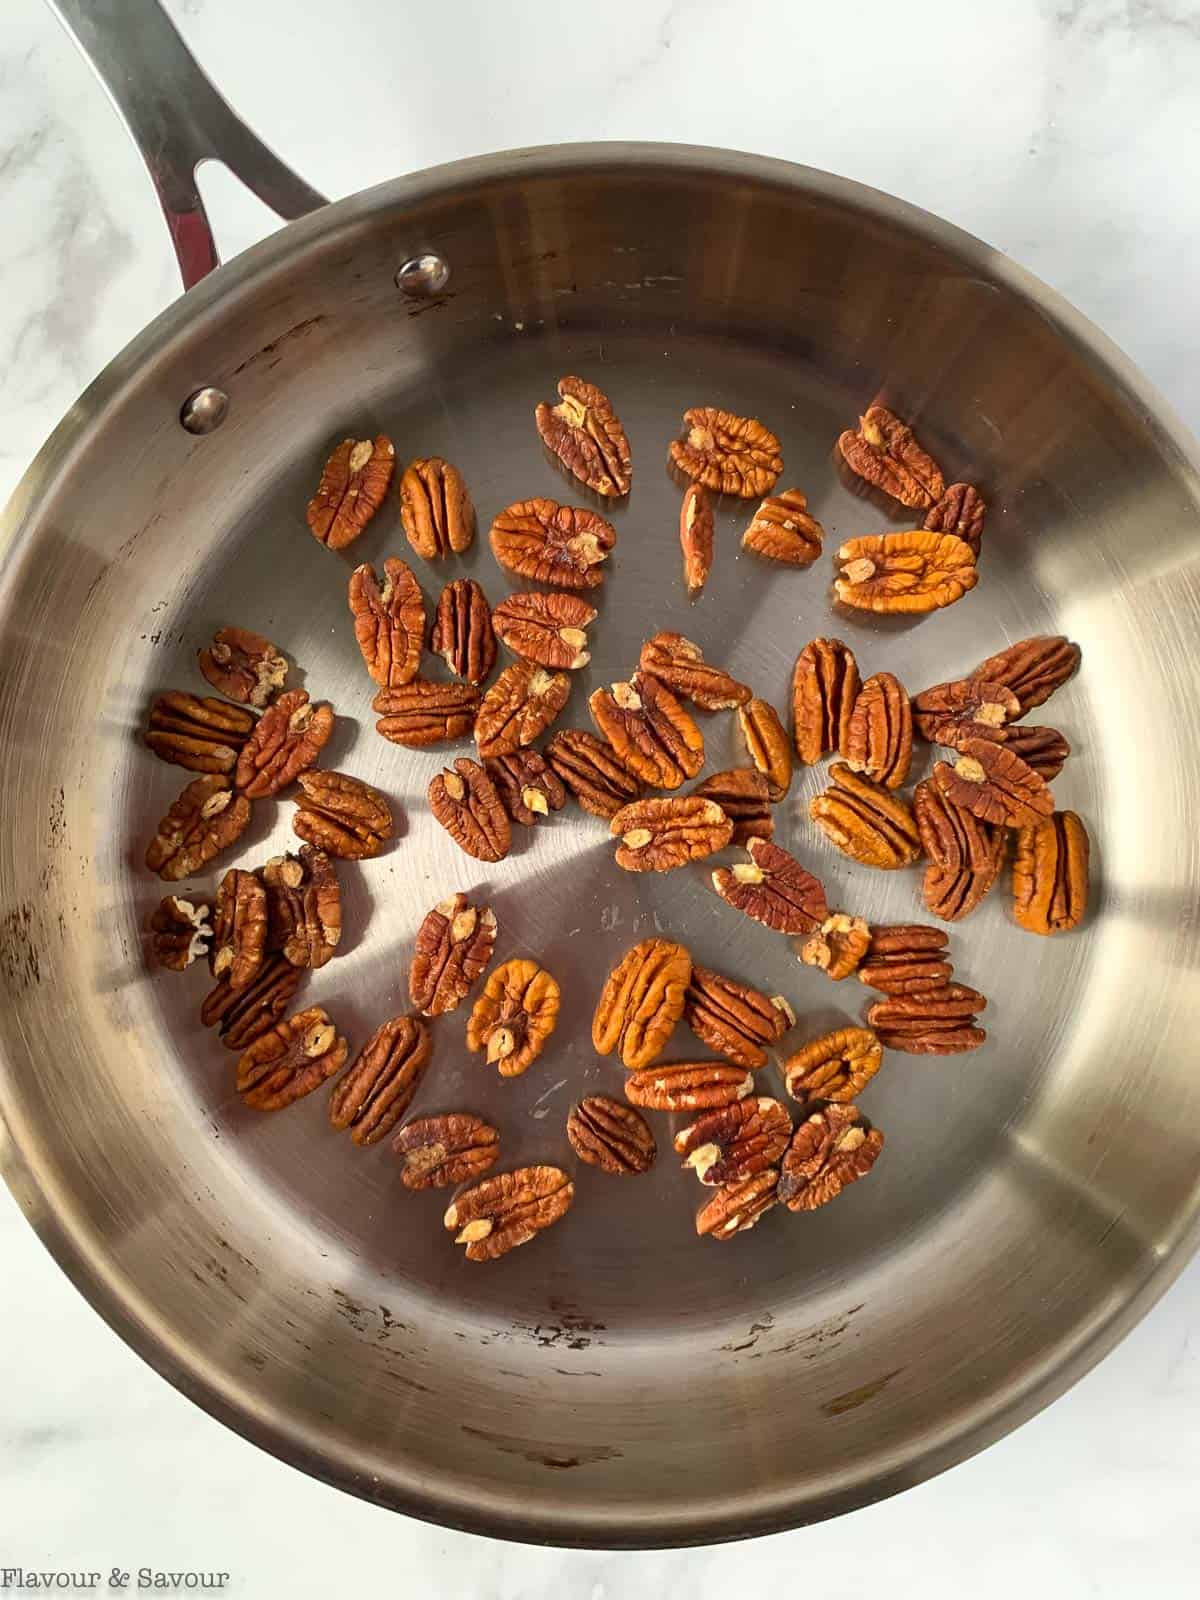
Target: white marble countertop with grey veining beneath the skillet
x=1063, y=132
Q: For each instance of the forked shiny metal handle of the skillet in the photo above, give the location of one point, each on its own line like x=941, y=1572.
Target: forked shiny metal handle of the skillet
x=178, y=121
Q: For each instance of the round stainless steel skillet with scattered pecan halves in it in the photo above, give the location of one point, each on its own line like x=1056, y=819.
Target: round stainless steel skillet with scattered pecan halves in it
x=618, y=1382
